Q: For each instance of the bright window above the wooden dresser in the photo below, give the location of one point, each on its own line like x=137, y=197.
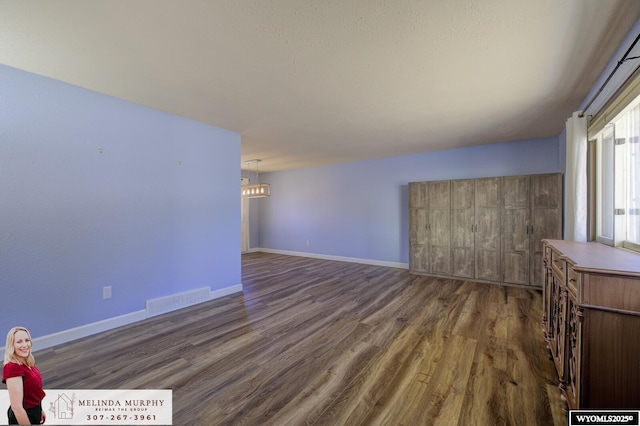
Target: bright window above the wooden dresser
x=617, y=179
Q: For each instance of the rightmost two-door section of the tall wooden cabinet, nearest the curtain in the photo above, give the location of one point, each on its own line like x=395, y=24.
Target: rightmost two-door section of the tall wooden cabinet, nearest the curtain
x=532, y=210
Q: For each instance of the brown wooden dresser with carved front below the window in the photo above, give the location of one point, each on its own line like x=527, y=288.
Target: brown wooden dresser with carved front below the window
x=591, y=321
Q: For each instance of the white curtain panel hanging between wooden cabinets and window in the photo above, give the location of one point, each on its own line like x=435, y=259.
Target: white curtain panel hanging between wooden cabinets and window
x=575, y=195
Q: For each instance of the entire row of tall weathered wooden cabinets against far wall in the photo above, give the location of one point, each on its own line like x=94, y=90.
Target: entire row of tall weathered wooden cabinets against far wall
x=486, y=229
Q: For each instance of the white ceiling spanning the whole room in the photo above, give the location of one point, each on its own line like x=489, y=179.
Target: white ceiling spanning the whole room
x=318, y=82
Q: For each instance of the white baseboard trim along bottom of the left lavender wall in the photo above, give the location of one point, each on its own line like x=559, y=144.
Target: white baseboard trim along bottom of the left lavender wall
x=71, y=334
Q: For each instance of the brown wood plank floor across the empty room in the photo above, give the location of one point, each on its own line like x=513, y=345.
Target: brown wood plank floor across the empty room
x=317, y=342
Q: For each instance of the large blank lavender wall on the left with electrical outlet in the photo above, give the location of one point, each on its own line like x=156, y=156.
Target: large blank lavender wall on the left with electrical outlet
x=157, y=213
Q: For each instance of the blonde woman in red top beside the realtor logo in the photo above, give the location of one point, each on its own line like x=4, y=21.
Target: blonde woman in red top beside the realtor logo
x=23, y=379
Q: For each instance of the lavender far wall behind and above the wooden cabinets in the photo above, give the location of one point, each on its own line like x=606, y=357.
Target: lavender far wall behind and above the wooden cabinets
x=360, y=210
